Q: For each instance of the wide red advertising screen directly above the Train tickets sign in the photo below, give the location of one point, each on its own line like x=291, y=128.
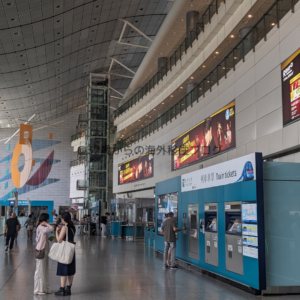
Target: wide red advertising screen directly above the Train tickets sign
x=212, y=136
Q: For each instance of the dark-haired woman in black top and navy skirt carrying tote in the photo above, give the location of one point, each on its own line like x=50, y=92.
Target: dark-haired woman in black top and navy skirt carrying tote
x=65, y=271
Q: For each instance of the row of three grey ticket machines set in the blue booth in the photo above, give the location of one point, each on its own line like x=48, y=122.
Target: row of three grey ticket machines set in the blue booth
x=209, y=226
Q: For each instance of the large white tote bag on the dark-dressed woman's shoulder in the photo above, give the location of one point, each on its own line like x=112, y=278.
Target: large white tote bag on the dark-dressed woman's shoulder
x=62, y=252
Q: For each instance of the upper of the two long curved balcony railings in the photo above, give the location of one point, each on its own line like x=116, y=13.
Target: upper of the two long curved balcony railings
x=188, y=41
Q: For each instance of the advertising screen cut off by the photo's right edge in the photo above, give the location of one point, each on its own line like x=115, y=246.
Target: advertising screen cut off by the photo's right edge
x=290, y=79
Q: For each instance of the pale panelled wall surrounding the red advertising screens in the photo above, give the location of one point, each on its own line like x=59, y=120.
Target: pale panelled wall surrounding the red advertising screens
x=255, y=85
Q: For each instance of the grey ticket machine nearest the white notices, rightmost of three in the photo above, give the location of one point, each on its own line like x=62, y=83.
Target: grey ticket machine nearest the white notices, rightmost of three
x=233, y=237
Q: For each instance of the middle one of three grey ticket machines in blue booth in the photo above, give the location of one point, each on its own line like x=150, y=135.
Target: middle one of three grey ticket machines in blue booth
x=211, y=233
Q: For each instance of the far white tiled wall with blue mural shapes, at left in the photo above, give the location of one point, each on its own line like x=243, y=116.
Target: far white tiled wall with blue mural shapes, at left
x=54, y=186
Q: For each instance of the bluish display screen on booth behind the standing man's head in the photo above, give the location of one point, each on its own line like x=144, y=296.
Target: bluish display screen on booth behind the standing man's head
x=165, y=204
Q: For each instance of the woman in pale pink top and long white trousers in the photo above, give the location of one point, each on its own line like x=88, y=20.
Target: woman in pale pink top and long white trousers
x=41, y=278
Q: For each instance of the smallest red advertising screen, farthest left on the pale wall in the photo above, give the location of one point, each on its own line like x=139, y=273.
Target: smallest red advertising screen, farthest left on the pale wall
x=136, y=169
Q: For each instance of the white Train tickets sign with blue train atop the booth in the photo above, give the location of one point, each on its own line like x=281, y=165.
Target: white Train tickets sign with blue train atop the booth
x=236, y=170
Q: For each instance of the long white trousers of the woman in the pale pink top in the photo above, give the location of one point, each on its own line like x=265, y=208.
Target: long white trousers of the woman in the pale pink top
x=41, y=276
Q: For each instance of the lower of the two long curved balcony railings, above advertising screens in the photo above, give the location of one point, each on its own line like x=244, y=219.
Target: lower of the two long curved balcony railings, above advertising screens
x=258, y=32
